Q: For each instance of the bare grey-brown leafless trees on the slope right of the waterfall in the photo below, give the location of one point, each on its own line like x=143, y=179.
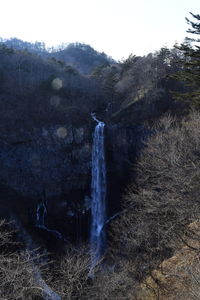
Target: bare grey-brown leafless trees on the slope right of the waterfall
x=164, y=198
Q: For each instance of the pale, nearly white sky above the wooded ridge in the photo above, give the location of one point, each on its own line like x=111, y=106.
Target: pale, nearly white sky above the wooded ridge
x=117, y=27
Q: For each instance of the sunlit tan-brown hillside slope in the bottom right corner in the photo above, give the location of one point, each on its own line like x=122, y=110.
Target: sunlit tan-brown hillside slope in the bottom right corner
x=177, y=277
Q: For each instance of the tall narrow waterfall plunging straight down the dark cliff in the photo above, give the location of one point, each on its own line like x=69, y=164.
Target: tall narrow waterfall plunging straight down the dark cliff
x=98, y=193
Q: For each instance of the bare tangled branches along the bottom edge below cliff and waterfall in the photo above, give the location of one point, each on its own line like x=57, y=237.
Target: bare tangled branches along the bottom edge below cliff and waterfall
x=26, y=274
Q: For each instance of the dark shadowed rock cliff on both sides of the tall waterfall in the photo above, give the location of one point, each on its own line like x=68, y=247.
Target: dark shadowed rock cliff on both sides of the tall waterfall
x=53, y=163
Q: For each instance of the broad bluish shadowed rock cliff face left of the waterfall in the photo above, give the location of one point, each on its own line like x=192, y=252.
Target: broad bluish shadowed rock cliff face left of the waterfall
x=51, y=163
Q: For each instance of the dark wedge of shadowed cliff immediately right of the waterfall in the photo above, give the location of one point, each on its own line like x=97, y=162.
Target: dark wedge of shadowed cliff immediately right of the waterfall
x=123, y=145
